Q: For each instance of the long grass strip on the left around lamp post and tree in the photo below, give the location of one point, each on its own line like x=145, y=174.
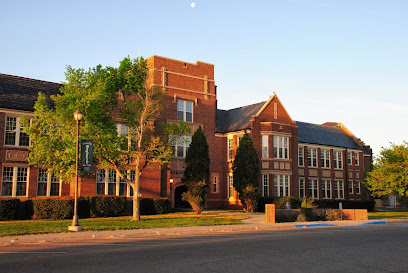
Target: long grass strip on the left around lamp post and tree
x=184, y=219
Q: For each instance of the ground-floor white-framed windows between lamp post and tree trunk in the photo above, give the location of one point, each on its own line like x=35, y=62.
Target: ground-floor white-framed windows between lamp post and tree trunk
x=117, y=181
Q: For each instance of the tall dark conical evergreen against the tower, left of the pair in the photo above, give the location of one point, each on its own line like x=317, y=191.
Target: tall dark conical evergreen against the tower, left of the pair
x=197, y=171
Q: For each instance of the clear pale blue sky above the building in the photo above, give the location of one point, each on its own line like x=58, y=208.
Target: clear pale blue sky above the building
x=327, y=60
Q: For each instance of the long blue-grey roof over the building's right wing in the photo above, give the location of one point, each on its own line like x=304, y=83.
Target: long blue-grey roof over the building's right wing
x=326, y=135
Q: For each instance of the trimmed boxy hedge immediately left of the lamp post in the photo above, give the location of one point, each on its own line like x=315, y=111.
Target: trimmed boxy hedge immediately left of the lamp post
x=53, y=208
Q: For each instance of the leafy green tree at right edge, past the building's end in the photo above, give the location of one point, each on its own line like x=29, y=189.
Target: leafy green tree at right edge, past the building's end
x=389, y=174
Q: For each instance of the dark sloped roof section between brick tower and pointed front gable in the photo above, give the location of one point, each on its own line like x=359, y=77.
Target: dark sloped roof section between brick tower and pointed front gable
x=236, y=119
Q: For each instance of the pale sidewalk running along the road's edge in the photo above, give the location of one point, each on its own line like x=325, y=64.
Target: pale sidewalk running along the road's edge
x=255, y=223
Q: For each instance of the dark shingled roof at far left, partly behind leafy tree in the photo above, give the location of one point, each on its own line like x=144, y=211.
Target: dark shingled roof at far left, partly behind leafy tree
x=20, y=93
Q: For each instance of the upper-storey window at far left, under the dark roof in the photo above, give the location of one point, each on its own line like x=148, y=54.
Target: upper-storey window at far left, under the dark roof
x=14, y=133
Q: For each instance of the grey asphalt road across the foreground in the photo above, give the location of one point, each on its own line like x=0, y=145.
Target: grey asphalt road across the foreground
x=371, y=248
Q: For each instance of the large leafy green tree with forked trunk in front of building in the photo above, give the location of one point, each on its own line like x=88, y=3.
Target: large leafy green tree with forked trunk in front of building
x=104, y=96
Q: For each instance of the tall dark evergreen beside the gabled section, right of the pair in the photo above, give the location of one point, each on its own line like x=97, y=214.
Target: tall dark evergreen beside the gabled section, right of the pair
x=246, y=168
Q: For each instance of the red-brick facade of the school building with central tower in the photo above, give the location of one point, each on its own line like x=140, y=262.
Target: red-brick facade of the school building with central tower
x=192, y=85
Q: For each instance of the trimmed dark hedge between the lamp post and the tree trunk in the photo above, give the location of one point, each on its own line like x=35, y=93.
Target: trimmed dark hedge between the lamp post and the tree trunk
x=106, y=206
